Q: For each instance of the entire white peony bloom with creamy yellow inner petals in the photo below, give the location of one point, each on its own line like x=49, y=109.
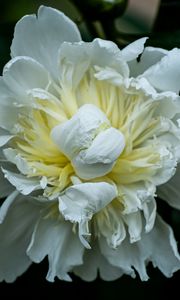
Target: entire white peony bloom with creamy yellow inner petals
x=89, y=136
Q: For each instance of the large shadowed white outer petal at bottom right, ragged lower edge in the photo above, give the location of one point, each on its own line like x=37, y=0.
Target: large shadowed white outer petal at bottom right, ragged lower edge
x=158, y=246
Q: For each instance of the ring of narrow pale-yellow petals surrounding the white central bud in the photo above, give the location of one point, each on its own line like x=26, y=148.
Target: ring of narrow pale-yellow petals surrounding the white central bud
x=134, y=115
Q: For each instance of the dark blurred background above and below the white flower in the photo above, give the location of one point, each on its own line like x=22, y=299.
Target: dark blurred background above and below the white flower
x=123, y=22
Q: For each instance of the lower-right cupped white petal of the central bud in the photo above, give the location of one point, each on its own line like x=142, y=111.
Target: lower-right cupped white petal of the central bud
x=100, y=157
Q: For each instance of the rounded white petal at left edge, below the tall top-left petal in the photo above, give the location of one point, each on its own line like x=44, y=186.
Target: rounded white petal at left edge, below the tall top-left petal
x=20, y=75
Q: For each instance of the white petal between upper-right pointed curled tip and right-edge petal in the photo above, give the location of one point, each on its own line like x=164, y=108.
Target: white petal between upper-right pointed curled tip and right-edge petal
x=149, y=57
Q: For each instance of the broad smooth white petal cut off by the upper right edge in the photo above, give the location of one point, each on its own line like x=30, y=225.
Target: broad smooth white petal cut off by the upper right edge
x=165, y=75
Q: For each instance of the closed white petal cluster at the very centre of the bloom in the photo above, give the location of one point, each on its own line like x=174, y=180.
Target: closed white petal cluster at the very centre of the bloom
x=89, y=141
